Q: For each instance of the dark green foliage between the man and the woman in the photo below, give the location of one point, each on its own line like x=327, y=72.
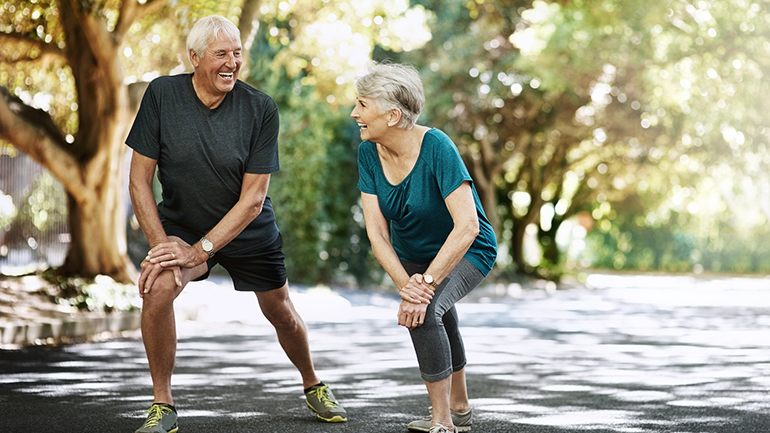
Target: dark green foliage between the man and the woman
x=314, y=194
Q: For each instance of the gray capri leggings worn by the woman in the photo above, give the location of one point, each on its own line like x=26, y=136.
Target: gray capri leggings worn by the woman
x=437, y=342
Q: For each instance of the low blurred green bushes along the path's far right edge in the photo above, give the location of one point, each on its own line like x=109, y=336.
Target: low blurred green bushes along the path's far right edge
x=675, y=242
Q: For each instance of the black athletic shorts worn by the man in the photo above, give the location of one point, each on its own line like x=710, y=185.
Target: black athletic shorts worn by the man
x=258, y=272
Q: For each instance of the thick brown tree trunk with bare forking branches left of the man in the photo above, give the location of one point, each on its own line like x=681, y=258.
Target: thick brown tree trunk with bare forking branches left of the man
x=92, y=169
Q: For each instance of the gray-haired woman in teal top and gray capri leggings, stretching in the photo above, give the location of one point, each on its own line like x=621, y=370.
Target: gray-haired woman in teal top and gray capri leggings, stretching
x=427, y=229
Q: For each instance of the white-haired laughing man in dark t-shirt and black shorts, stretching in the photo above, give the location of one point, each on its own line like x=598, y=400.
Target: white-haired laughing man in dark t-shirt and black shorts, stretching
x=213, y=140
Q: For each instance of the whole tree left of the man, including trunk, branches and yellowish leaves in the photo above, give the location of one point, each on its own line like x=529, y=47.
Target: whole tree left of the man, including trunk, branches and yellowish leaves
x=63, y=102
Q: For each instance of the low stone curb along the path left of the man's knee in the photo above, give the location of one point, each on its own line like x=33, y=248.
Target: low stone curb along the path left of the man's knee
x=22, y=333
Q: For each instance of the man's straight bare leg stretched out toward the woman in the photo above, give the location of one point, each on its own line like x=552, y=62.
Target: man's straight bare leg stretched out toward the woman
x=290, y=328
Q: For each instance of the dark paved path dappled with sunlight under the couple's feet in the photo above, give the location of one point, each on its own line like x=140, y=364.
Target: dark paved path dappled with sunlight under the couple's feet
x=629, y=354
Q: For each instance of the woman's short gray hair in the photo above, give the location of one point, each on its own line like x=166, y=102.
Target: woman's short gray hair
x=392, y=86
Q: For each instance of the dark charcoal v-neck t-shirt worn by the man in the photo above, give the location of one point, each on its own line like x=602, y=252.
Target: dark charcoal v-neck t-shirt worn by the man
x=203, y=154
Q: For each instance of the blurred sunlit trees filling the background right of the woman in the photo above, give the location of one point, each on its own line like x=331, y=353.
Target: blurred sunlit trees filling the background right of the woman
x=566, y=107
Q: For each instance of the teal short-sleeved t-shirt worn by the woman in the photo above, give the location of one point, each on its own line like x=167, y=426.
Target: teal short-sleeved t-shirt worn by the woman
x=419, y=219
